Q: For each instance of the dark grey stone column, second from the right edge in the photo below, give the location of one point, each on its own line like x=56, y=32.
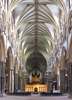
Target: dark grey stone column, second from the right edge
x=62, y=81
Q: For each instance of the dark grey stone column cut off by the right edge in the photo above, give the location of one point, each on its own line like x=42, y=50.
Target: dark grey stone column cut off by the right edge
x=70, y=79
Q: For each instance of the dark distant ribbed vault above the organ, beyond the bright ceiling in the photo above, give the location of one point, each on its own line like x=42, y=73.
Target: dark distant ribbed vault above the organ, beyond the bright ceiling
x=36, y=61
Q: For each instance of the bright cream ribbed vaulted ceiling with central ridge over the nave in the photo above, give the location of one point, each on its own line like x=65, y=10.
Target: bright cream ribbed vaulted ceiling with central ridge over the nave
x=36, y=24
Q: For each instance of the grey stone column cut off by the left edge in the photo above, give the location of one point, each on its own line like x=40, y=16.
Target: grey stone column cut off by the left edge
x=2, y=78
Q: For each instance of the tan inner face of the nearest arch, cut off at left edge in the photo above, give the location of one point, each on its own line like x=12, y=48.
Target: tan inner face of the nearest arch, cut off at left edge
x=2, y=48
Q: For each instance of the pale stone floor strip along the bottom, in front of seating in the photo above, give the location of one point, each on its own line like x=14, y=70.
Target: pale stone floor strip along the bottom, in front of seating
x=35, y=97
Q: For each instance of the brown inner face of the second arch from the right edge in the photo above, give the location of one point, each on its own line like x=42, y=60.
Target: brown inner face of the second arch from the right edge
x=63, y=59
